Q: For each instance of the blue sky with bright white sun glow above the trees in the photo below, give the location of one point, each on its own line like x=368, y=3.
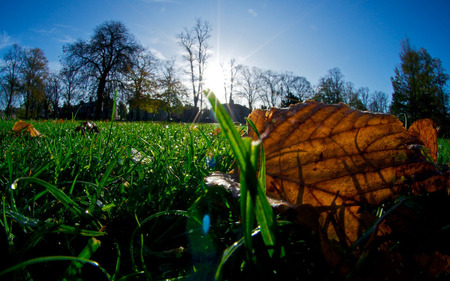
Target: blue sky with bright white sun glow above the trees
x=307, y=38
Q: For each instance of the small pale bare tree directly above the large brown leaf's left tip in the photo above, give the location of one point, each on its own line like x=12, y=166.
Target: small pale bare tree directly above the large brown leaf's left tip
x=249, y=83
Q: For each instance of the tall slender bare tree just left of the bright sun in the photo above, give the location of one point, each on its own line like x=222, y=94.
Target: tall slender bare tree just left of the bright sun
x=194, y=42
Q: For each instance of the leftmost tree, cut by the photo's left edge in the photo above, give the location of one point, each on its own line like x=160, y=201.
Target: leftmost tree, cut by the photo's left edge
x=10, y=76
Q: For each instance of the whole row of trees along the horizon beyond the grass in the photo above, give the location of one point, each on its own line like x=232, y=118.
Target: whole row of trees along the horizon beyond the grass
x=112, y=59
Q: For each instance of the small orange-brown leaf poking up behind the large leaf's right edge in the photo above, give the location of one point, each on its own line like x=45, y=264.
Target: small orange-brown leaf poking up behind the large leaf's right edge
x=424, y=130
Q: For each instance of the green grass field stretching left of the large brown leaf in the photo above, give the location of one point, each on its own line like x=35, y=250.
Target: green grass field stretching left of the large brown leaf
x=130, y=203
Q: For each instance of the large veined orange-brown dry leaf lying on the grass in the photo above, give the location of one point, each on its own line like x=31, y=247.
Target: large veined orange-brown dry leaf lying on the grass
x=337, y=159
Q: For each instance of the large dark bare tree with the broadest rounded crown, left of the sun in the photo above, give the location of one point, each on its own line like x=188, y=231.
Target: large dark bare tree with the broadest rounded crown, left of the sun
x=106, y=55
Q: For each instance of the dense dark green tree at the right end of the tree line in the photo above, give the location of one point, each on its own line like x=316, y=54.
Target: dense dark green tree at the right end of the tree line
x=420, y=87
